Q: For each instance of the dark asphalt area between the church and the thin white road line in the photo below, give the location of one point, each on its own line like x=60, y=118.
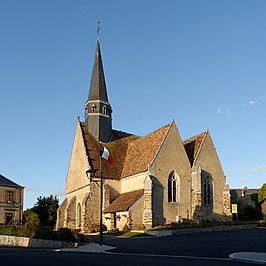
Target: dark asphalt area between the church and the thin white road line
x=212, y=244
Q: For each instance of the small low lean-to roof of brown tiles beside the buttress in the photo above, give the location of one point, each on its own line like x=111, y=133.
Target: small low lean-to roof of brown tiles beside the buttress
x=124, y=201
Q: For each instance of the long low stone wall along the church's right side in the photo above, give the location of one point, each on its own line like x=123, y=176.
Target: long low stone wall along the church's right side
x=161, y=233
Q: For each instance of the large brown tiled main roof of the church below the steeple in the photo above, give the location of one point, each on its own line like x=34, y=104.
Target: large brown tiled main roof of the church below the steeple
x=131, y=154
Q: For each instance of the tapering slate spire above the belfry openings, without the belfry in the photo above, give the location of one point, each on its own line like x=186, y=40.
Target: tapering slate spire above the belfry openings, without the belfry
x=98, y=87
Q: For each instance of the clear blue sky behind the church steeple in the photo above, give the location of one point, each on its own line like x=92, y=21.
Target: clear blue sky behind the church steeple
x=199, y=62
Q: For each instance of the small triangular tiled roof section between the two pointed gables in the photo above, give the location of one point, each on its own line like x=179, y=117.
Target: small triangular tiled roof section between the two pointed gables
x=192, y=146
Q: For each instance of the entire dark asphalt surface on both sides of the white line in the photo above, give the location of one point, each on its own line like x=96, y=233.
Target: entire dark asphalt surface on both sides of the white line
x=206, y=249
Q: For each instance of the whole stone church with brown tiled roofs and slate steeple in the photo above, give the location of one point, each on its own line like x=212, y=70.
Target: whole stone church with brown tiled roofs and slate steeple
x=154, y=179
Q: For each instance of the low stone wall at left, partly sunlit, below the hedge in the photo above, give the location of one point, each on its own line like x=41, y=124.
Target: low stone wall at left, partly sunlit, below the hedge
x=13, y=241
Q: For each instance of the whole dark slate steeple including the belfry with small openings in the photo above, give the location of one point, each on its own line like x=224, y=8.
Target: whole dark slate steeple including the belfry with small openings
x=98, y=111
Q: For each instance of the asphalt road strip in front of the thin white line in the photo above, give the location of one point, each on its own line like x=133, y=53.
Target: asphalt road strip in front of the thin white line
x=18, y=257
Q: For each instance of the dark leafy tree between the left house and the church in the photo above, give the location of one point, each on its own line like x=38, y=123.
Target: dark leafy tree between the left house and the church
x=46, y=209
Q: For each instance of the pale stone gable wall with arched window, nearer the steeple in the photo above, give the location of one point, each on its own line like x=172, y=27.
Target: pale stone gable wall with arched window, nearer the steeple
x=170, y=157
